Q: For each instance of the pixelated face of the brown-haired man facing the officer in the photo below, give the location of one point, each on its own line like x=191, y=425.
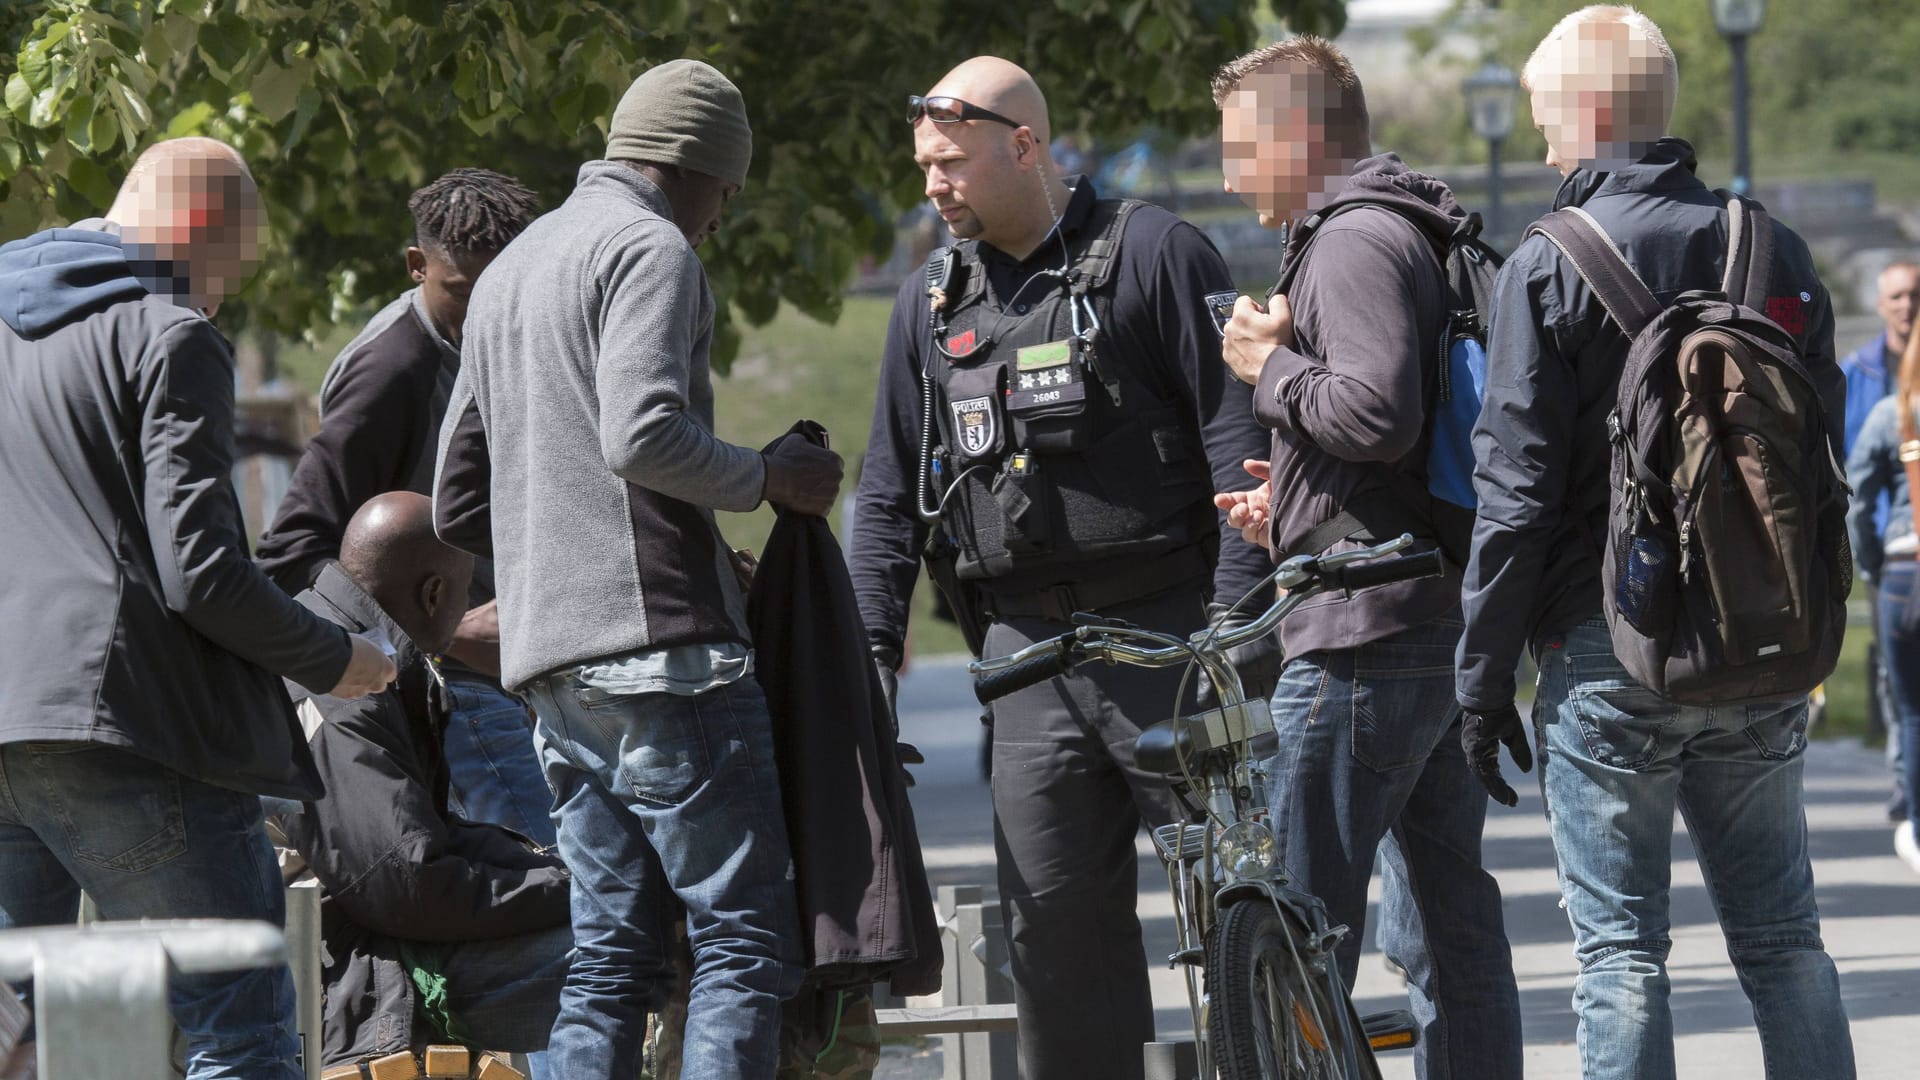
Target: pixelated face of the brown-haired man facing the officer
x=1274, y=145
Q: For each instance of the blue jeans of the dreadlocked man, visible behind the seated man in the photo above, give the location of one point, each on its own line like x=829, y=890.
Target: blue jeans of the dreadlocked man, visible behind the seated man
x=491, y=758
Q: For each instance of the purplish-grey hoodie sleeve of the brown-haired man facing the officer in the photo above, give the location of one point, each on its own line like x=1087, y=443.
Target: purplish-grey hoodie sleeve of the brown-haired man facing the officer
x=1364, y=403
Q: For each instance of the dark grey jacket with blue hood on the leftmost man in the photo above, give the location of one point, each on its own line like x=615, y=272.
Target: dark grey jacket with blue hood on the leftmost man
x=130, y=610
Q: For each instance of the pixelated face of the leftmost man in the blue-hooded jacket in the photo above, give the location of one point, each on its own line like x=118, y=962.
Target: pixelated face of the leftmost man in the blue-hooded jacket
x=203, y=237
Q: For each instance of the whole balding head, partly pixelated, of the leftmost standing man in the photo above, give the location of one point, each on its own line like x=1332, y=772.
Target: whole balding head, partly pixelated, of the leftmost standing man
x=191, y=220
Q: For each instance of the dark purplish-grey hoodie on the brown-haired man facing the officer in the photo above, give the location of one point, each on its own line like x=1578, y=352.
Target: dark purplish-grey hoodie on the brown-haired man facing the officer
x=1349, y=405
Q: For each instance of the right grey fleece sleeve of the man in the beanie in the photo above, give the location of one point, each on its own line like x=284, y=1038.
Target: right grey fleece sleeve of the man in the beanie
x=656, y=331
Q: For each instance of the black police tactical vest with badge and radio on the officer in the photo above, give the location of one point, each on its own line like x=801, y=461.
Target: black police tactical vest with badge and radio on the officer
x=1059, y=453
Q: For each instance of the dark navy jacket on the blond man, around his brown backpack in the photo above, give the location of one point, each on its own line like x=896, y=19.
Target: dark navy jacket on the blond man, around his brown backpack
x=1552, y=378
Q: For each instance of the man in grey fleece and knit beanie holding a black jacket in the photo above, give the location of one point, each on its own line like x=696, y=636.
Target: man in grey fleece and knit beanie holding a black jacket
x=579, y=453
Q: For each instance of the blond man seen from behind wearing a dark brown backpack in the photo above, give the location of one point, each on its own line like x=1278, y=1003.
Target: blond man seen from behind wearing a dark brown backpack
x=1662, y=520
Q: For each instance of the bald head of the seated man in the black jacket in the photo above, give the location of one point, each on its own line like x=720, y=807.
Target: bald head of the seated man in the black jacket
x=393, y=554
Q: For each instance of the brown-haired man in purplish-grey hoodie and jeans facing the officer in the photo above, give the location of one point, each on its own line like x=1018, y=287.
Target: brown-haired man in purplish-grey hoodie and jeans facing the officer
x=1349, y=368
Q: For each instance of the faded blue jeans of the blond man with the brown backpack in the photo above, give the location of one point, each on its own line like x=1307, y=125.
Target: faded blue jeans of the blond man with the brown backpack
x=1616, y=762
